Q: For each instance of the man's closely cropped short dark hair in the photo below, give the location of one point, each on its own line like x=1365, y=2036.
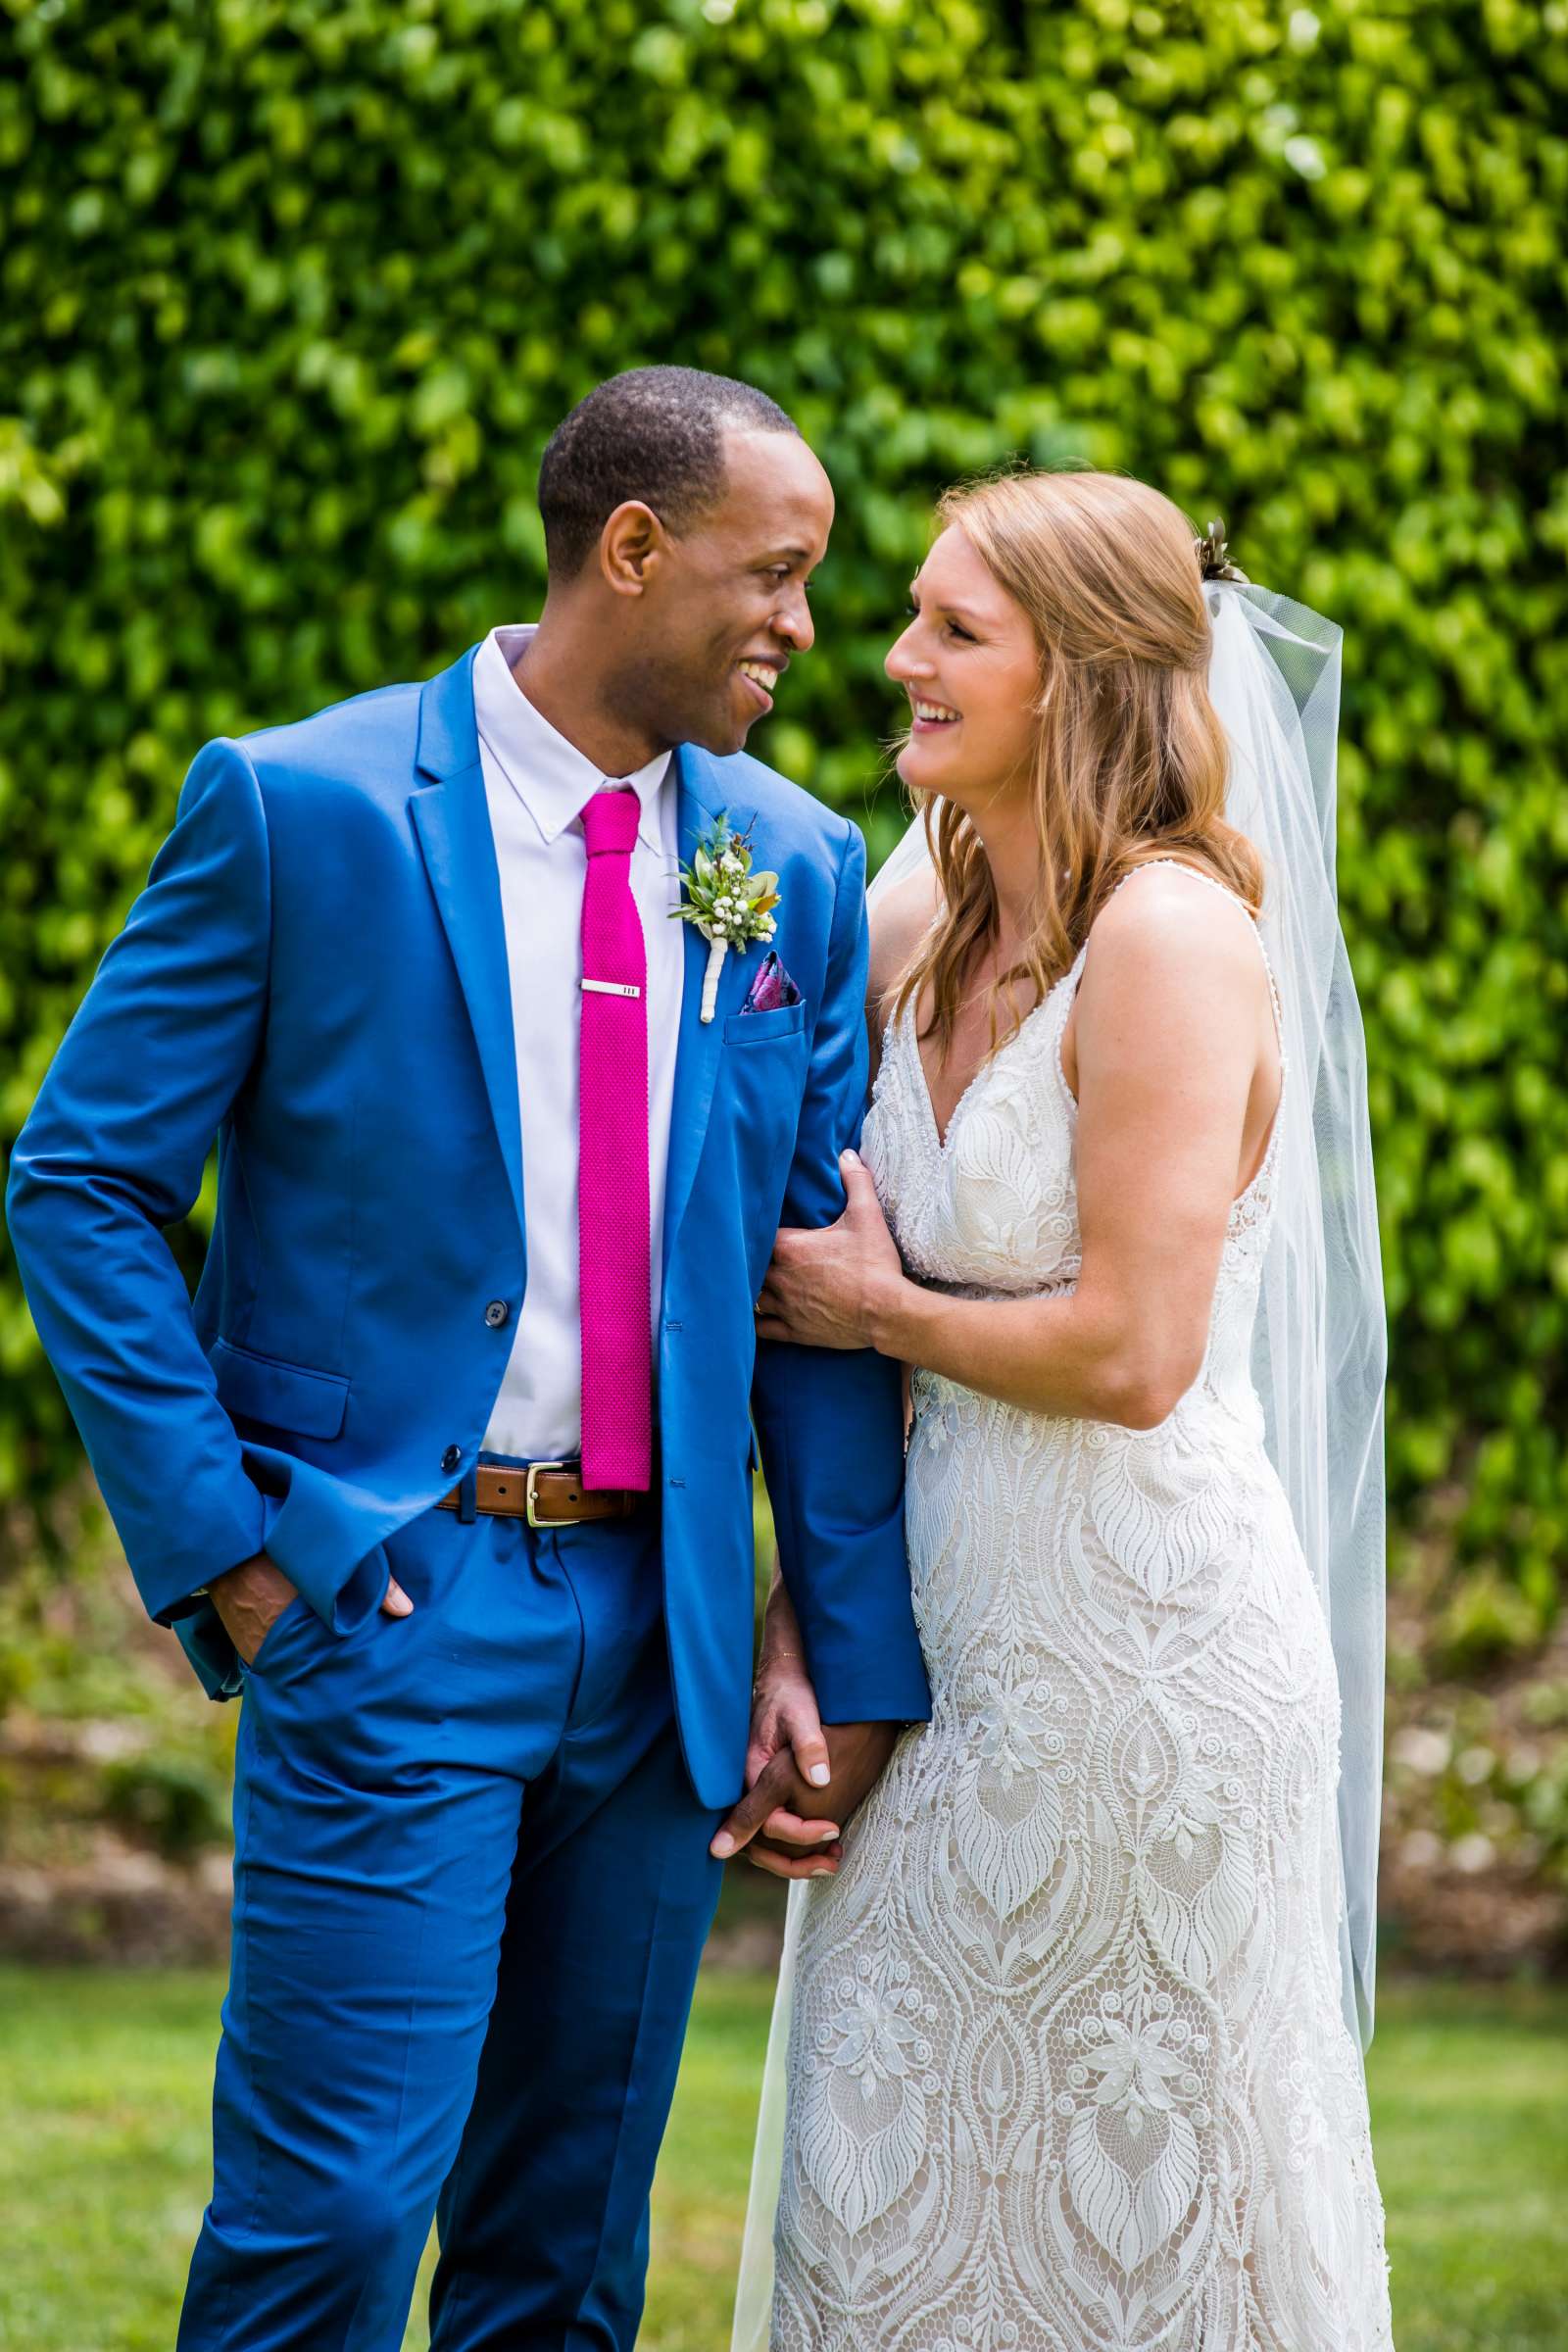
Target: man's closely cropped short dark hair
x=652, y=434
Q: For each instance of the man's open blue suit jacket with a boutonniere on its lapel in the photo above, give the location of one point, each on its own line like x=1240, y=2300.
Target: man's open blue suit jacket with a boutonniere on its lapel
x=316, y=973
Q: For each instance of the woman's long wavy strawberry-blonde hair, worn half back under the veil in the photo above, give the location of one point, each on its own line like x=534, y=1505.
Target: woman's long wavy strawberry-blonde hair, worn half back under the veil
x=1130, y=756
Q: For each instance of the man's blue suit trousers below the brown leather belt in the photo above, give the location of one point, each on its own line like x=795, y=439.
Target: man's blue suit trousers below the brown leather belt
x=471, y=1897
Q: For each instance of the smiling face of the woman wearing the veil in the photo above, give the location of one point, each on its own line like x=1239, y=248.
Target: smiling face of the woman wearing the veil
x=972, y=671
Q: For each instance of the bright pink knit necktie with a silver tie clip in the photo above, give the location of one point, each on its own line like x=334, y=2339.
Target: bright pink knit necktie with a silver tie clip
x=615, y=1158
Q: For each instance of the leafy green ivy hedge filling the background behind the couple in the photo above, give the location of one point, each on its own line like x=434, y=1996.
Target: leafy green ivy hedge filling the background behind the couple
x=295, y=290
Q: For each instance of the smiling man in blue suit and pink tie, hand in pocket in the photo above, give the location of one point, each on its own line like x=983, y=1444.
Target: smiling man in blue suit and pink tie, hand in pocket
x=448, y=1466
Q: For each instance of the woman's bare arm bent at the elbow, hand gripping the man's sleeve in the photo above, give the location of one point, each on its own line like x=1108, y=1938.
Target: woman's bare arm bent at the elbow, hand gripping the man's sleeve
x=1170, y=1024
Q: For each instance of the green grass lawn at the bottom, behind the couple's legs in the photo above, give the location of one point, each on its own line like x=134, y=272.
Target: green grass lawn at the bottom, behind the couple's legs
x=105, y=2085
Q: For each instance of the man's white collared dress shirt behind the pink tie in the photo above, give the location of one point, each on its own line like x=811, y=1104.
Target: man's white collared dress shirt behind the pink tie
x=537, y=784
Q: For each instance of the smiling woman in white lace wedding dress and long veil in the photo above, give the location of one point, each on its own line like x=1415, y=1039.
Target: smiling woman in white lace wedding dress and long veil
x=1073, y=2007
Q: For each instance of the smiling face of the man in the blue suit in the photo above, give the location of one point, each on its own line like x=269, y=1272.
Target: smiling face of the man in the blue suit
x=725, y=610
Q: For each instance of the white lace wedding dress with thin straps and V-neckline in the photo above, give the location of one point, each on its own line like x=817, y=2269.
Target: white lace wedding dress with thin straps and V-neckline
x=1068, y=2069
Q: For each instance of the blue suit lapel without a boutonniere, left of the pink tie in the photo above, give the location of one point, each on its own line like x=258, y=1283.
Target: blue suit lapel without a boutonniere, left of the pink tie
x=455, y=836
